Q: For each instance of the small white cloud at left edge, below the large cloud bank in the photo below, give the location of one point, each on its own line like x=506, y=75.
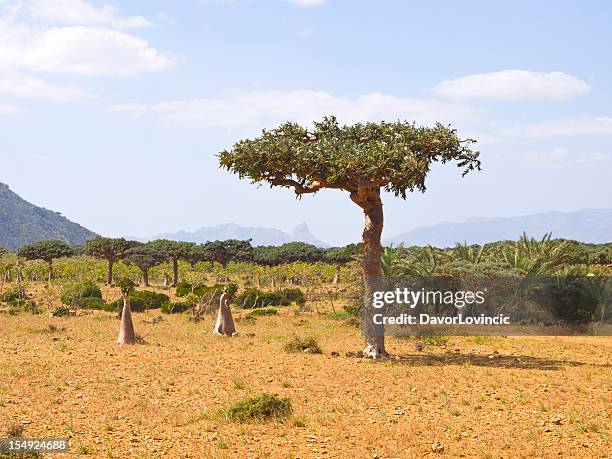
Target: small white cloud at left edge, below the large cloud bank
x=25, y=86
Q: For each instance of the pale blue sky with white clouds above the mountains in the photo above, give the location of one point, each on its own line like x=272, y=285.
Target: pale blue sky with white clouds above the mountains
x=112, y=113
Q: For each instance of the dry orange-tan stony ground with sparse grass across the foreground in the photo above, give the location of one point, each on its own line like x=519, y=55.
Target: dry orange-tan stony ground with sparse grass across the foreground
x=469, y=397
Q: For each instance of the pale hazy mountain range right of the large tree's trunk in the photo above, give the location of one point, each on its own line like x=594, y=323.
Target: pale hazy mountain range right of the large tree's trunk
x=590, y=225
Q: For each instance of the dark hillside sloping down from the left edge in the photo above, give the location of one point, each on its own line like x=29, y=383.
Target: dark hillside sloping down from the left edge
x=22, y=223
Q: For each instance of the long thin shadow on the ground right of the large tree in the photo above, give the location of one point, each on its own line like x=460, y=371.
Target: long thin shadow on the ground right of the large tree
x=521, y=362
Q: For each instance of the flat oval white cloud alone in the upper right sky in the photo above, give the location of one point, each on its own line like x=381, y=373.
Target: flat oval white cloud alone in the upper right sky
x=512, y=85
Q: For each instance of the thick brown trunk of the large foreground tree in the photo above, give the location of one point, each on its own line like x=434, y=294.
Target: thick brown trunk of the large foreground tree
x=369, y=200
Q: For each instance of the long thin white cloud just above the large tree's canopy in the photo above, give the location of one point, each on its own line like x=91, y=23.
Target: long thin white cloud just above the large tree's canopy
x=256, y=109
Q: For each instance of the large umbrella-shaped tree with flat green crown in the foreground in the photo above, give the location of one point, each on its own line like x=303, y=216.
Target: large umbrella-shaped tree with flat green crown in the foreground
x=361, y=159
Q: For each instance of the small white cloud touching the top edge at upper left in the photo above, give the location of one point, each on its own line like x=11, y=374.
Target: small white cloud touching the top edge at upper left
x=78, y=12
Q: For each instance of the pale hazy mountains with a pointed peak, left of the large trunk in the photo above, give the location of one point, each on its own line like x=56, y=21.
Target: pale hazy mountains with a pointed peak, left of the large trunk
x=258, y=236
